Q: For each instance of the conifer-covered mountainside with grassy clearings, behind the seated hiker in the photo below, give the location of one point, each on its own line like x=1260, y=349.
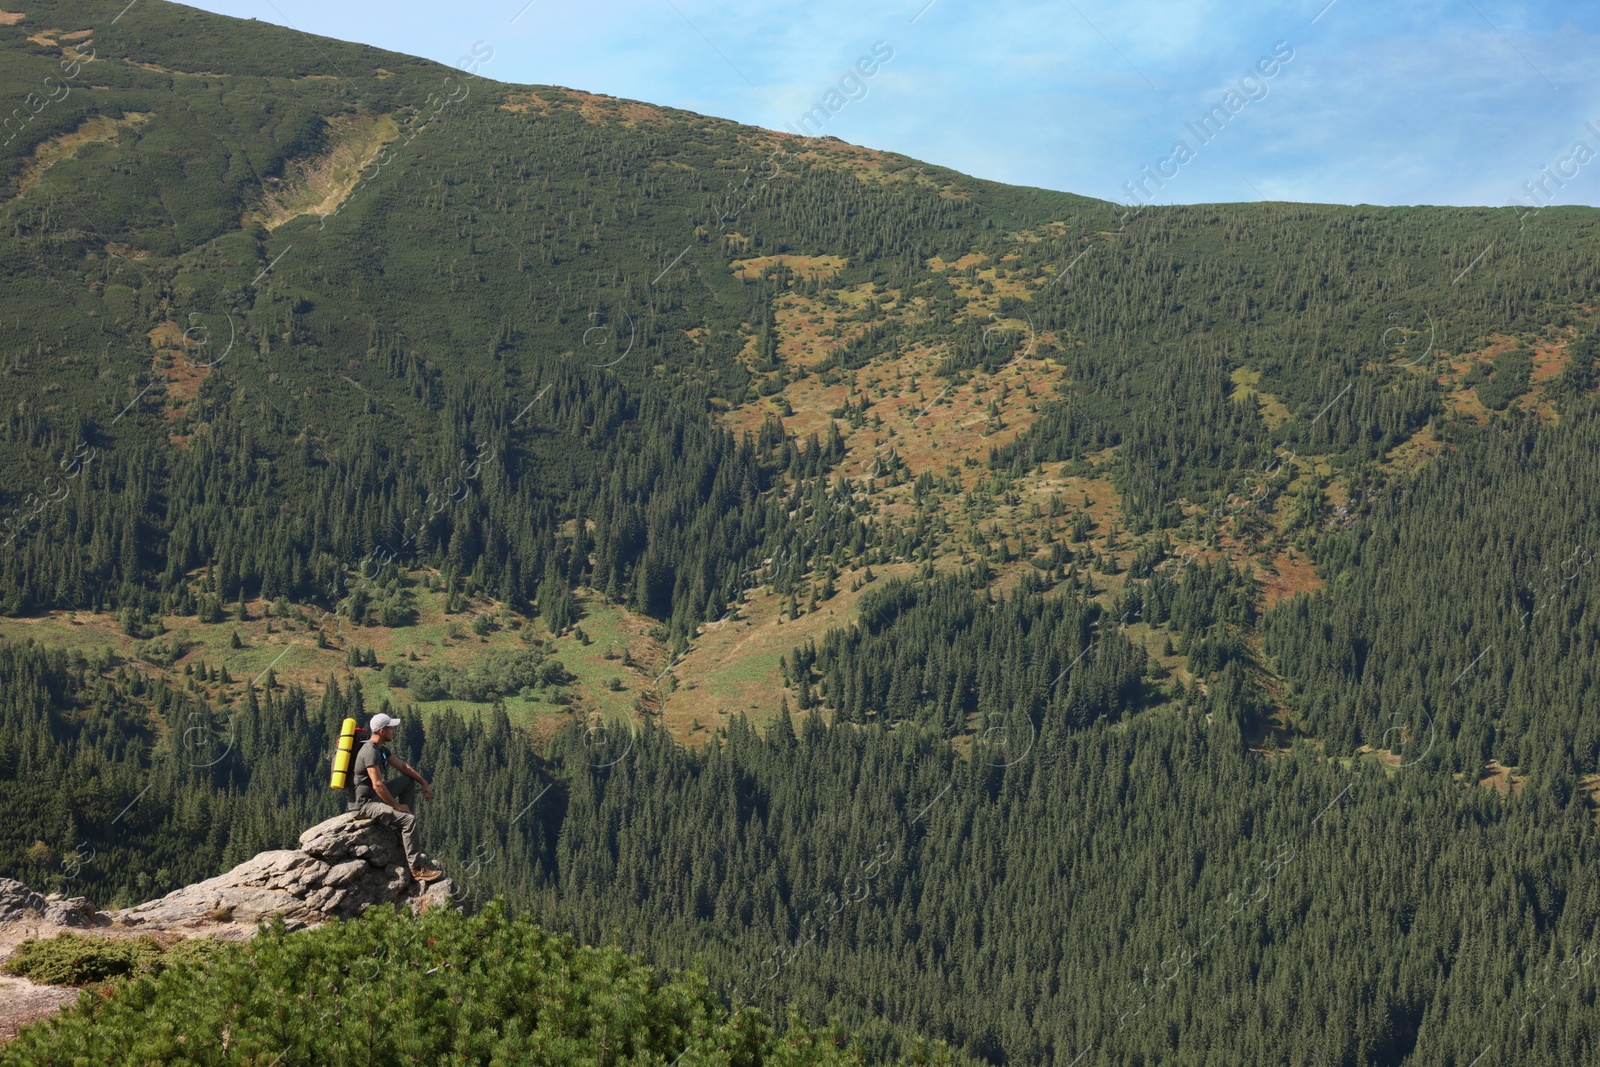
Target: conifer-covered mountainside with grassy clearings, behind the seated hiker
x=1172, y=628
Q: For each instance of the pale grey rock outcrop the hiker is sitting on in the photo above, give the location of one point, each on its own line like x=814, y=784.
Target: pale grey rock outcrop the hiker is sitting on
x=342, y=868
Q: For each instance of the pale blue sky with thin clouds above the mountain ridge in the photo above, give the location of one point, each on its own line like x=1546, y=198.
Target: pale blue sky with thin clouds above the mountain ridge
x=1450, y=102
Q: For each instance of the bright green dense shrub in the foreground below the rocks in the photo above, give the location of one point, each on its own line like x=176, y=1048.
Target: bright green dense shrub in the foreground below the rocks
x=393, y=989
